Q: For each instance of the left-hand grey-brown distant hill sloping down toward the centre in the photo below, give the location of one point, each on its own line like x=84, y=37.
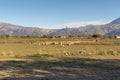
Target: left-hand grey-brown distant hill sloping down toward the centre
x=16, y=30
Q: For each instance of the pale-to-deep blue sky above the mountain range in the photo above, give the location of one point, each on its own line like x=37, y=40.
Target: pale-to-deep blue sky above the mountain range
x=45, y=13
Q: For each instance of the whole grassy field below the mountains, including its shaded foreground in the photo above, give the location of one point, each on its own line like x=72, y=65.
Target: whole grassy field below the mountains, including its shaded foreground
x=59, y=59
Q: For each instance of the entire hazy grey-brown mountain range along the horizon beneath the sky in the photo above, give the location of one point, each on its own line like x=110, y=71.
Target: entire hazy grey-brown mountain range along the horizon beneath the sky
x=112, y=28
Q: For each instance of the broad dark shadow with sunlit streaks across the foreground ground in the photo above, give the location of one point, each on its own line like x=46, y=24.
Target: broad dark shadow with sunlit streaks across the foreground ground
x=65, y=69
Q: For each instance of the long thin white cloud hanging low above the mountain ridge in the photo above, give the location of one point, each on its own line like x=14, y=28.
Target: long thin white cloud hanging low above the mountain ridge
x=78, y=24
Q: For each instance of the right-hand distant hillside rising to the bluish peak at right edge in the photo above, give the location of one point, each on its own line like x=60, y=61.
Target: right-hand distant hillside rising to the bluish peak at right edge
x=112, y=28
